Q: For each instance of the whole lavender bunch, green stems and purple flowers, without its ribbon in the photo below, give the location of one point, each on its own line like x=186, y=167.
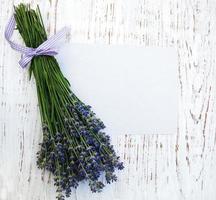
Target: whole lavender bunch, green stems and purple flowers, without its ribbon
x=74, y=147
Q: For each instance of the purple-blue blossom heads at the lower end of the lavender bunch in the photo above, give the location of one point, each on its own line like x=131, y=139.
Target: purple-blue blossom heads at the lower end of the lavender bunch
x=80, y=153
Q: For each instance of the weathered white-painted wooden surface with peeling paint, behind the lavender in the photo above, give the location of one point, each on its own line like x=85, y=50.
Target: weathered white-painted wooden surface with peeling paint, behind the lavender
x=158, y=167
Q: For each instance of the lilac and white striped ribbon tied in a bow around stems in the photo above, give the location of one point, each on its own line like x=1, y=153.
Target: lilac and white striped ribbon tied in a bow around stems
x=49, y=47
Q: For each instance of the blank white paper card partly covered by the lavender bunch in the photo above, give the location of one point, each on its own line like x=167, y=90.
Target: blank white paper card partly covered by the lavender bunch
x=133, y=90
